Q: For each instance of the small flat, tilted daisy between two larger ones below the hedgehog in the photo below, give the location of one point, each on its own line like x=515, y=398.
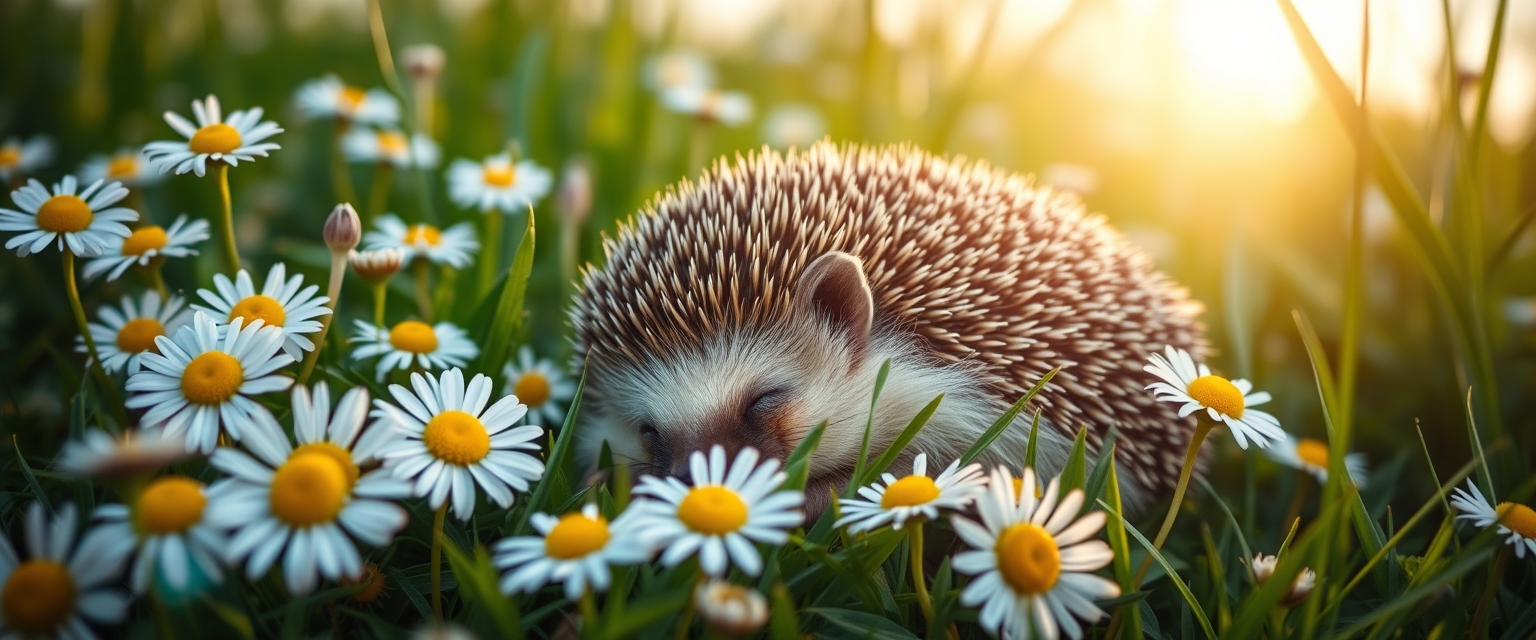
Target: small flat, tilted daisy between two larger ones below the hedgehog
x=913, y=496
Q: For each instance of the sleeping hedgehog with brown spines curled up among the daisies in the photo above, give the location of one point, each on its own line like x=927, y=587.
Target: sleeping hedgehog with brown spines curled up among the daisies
x=761, y=302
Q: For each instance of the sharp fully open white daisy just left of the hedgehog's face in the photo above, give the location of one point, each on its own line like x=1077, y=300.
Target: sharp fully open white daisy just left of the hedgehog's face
x=452, y=441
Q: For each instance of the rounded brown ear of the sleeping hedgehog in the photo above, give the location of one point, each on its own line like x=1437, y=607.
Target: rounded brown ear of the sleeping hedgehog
x=833, y=288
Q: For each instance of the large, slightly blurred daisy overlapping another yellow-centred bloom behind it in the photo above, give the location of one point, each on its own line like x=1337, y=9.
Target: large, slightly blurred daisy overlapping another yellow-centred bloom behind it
x=300, y=504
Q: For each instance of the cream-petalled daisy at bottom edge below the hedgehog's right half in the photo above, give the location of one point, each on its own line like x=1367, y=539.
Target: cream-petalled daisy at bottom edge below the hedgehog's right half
x=1031, y=559
